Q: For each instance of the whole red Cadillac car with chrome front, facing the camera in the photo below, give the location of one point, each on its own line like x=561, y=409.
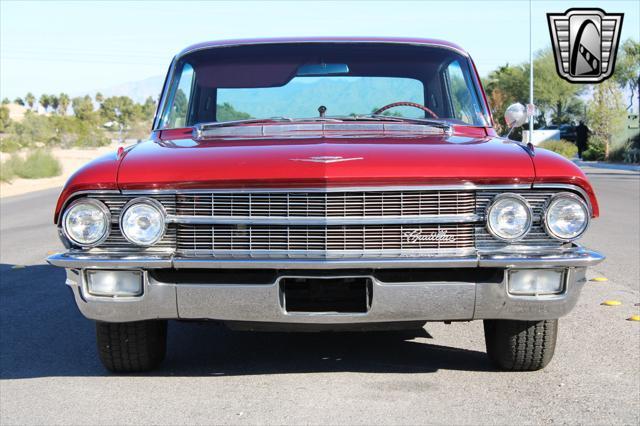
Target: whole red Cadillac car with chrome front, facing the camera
x=326, y=184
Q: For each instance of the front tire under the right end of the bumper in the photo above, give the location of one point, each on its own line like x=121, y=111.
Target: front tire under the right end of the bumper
x=520, y=345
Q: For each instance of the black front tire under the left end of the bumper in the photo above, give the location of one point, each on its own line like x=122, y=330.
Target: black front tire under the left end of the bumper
x=131, y=346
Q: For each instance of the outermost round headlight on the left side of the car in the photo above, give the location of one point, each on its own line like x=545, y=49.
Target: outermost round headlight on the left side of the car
x=86, y=222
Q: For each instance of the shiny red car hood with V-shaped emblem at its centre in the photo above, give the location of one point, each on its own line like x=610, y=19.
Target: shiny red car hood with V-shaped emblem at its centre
x=185, y=163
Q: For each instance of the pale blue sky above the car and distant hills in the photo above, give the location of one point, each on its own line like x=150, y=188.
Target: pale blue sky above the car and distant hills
x=81, y=46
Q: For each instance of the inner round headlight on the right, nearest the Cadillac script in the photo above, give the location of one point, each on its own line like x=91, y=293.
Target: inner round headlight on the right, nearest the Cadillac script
x=509, y=217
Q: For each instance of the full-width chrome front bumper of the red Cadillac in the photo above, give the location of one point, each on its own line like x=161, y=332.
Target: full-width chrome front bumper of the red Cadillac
x=410, y=301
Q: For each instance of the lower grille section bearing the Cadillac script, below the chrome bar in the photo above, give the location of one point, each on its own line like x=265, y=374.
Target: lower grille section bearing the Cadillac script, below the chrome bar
x=220, y=239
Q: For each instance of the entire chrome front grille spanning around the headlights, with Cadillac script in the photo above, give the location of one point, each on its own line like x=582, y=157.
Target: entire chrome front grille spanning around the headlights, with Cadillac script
x=359, y=223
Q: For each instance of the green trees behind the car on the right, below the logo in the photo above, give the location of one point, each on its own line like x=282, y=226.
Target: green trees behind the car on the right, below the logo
x=604, y=107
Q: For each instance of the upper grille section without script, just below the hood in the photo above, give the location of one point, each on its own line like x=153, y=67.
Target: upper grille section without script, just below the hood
x=328, y=204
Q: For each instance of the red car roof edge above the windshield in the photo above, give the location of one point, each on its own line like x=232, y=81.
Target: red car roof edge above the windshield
x=301, y=40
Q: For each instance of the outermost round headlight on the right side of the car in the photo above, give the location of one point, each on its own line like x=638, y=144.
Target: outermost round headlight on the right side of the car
x=566, y=217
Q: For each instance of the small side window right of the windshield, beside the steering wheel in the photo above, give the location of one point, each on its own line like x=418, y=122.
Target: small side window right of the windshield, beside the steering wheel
x=464, y=104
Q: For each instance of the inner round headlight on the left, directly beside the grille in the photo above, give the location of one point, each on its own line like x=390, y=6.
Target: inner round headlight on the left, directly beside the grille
x=142, y=221
